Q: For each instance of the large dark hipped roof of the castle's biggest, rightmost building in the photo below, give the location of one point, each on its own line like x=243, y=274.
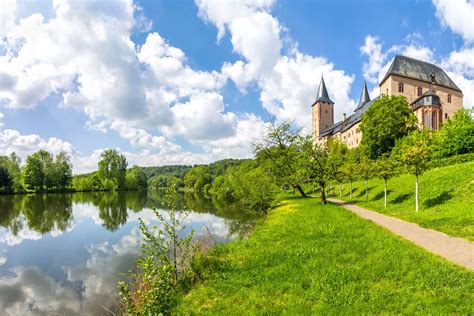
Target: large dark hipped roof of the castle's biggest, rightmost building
x=420, y=70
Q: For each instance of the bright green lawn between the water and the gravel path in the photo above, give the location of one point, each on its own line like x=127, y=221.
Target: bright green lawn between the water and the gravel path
x=311, y=258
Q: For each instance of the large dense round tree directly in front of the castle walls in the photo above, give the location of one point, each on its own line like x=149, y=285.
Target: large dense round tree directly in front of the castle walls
x=386, y=120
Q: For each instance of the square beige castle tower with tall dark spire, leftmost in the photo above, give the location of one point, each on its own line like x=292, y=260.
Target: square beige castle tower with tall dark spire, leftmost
x=322, y=111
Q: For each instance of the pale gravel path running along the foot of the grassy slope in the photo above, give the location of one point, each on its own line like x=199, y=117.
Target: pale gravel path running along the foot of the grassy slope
x=457, y=250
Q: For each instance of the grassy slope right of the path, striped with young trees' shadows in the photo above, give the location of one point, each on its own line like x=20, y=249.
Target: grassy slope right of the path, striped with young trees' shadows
x=446, y=199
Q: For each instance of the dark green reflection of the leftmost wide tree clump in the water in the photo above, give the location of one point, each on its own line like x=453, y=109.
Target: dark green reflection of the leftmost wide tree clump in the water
x=47, y=212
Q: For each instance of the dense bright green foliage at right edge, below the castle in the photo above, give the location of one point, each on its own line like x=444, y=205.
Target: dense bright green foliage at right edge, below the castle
x=456, y=135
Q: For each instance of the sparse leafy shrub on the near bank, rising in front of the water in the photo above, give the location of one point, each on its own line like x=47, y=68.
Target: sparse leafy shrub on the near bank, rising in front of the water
x=164, y=265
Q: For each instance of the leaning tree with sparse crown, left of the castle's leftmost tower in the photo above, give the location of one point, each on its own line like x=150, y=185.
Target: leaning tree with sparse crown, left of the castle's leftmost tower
x=279, y=149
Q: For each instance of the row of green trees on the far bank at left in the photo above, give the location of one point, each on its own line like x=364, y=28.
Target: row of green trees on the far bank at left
x=43, y=171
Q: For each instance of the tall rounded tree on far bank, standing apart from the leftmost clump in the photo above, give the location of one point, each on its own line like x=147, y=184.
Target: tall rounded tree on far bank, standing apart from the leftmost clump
x=112, y=169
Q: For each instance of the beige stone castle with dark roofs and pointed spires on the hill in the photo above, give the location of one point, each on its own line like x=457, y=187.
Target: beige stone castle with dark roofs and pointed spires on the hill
x=432, y=96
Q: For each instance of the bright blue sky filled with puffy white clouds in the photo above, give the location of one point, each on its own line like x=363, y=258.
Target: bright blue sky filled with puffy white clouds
x=189, y=82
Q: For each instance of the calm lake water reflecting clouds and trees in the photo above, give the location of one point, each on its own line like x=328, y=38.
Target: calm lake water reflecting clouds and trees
x=62, y=253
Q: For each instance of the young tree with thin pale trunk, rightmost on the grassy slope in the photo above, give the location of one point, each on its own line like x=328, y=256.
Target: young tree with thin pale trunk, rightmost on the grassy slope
x=415, y=155
